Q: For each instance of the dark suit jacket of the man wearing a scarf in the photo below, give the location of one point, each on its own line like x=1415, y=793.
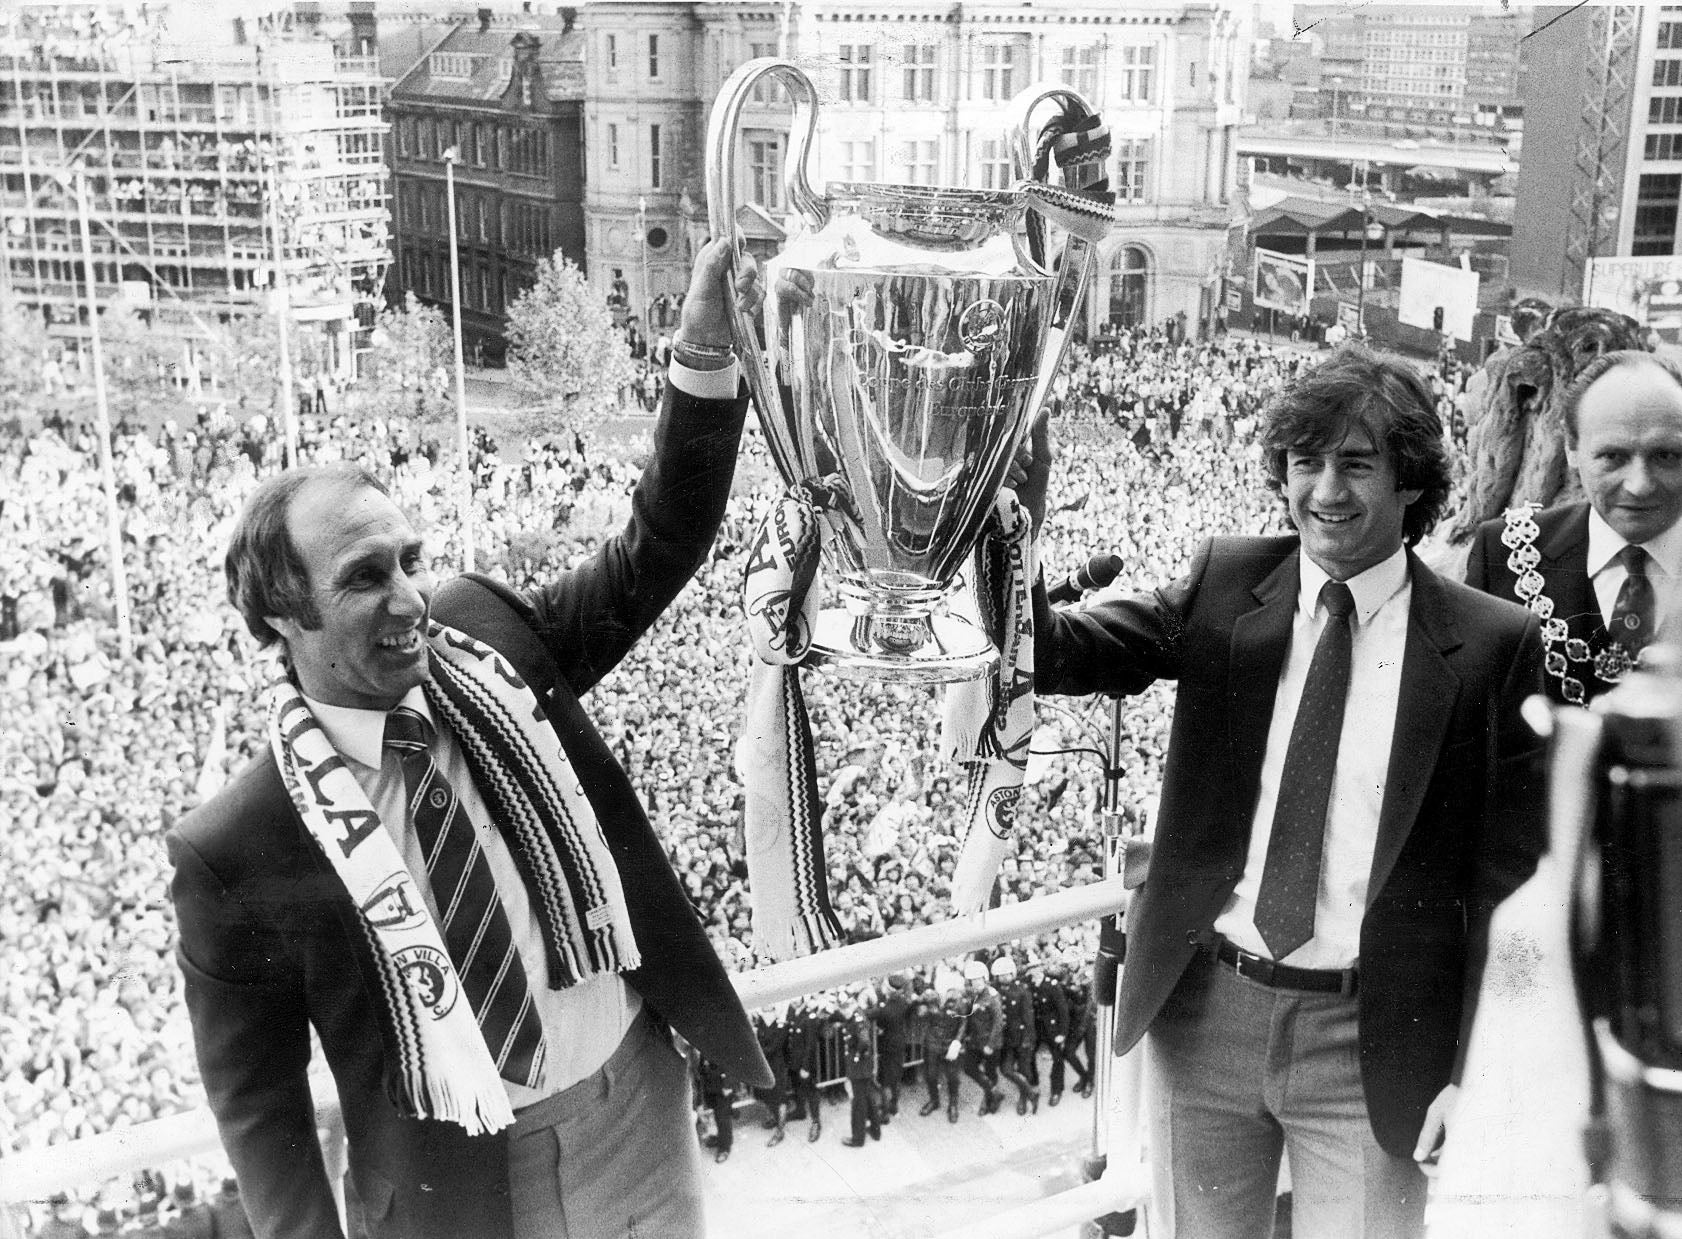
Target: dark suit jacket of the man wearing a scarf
x=272, y=946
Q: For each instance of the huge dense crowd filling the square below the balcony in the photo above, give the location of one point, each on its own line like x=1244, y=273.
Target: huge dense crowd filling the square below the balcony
x=107, y=746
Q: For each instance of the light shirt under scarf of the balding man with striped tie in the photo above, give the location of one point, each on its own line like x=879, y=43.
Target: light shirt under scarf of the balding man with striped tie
x=584, y=1023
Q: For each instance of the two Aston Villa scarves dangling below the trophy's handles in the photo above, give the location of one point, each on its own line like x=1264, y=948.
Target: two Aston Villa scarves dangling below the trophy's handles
x=988, y=724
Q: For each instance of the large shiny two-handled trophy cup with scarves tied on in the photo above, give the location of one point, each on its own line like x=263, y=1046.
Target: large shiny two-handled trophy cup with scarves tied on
x=907, y=339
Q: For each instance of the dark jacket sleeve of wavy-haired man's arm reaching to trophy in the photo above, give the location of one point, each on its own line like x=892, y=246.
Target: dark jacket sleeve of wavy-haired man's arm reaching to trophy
x=1118, y=645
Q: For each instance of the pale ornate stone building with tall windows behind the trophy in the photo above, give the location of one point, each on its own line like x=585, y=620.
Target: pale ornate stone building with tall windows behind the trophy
x=916, y=93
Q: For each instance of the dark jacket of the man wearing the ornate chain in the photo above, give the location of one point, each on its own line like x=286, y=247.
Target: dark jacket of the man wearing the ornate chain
x=1562, y=540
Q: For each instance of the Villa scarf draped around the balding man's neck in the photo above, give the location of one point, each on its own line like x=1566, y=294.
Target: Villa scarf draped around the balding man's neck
x=537, y=801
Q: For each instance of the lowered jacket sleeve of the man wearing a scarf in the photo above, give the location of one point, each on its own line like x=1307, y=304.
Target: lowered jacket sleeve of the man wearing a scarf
x=253, y=1038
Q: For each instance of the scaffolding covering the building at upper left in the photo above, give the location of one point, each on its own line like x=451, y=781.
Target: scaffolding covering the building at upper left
x=223, y=181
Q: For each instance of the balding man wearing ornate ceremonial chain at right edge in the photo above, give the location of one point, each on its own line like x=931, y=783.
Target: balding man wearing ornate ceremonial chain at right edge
x=1602, y=572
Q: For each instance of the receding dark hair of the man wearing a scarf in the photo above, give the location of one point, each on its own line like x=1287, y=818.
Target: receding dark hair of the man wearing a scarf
x=265, y=572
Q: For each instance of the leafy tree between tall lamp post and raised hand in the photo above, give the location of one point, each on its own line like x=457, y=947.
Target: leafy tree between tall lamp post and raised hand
x=564, y=351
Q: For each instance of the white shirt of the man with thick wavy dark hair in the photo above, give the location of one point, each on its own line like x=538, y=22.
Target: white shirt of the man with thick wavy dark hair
x=1380, y=635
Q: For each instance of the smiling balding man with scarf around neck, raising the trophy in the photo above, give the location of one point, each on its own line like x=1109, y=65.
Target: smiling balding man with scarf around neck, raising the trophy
x=440, y=867
